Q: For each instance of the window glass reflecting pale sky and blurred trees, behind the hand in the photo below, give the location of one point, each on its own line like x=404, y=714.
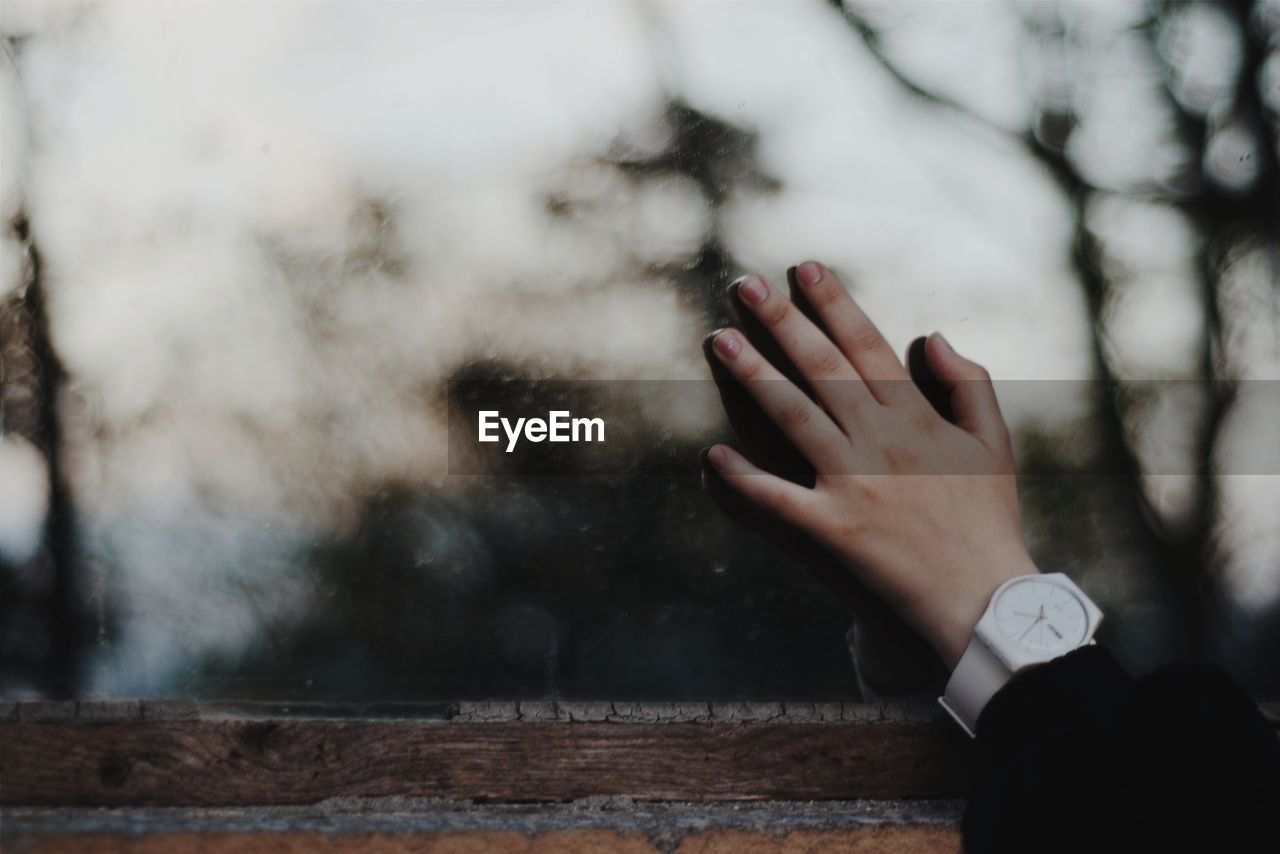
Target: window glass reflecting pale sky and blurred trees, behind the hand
x=253, y=245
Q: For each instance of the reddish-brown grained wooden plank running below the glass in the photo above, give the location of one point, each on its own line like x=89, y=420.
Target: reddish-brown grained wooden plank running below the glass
x=246, y=762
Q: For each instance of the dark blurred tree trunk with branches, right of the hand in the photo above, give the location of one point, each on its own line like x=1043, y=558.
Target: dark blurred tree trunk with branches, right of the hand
x=1220, y=218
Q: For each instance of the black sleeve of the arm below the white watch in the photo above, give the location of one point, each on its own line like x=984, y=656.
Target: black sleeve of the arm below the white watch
x=1077, y=756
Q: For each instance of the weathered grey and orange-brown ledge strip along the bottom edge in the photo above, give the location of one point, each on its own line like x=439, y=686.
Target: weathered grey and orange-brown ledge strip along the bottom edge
x=441, y=826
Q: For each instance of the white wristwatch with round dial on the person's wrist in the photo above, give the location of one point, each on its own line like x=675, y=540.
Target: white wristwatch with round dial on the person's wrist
x=1031, y=620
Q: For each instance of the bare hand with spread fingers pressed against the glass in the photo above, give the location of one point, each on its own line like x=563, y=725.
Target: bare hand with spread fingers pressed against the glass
x=924, y=512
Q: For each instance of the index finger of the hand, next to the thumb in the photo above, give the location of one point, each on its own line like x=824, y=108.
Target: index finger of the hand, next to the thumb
x=856, y=335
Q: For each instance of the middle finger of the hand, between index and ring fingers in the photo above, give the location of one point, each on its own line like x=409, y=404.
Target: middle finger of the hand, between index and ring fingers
x=819, y=360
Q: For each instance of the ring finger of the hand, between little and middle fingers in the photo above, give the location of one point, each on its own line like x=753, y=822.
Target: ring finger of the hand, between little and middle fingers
x=802, y=421
